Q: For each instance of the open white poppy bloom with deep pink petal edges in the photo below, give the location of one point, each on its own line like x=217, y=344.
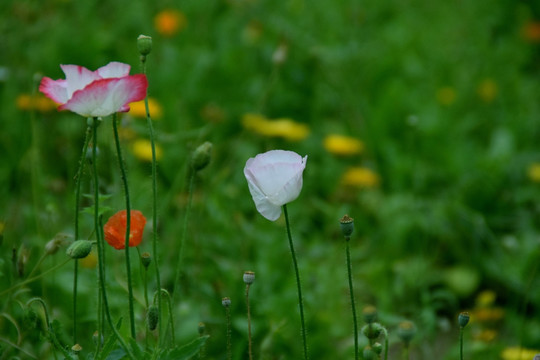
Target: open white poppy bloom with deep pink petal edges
x=98, y=93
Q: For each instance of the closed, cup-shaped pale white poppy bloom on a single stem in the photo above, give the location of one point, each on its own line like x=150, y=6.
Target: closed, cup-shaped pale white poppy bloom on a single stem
x=274, y=179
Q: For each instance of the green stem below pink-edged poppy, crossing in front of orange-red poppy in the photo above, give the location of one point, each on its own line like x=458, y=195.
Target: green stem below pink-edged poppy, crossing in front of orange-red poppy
x=128, y=225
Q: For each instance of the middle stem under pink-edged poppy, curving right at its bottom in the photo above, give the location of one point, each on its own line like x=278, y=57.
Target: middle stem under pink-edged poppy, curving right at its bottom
x=100, y=245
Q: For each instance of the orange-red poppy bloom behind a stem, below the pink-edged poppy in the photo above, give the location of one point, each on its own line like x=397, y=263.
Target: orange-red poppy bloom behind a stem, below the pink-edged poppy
x=115, y=229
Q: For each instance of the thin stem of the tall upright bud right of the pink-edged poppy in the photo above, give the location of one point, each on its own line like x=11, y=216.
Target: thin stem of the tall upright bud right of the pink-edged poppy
x=154, y=196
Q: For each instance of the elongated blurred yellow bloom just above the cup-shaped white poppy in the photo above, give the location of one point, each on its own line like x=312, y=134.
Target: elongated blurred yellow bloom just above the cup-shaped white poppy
x=284, y=127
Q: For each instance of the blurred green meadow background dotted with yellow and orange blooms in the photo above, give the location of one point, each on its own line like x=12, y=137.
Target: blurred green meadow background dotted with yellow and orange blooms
x=420, y=119
